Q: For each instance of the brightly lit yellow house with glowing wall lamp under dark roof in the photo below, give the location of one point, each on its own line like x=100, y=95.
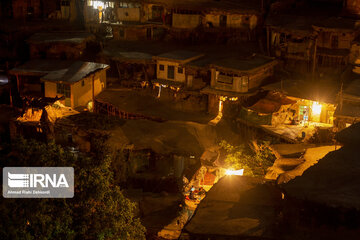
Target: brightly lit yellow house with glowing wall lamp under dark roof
x=309, y=102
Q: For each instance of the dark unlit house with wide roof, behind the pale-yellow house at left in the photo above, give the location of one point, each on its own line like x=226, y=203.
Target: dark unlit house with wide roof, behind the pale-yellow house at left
x=59, y=45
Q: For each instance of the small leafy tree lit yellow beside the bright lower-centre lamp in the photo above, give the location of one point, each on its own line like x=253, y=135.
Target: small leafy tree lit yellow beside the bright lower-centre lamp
x=254, y=162
